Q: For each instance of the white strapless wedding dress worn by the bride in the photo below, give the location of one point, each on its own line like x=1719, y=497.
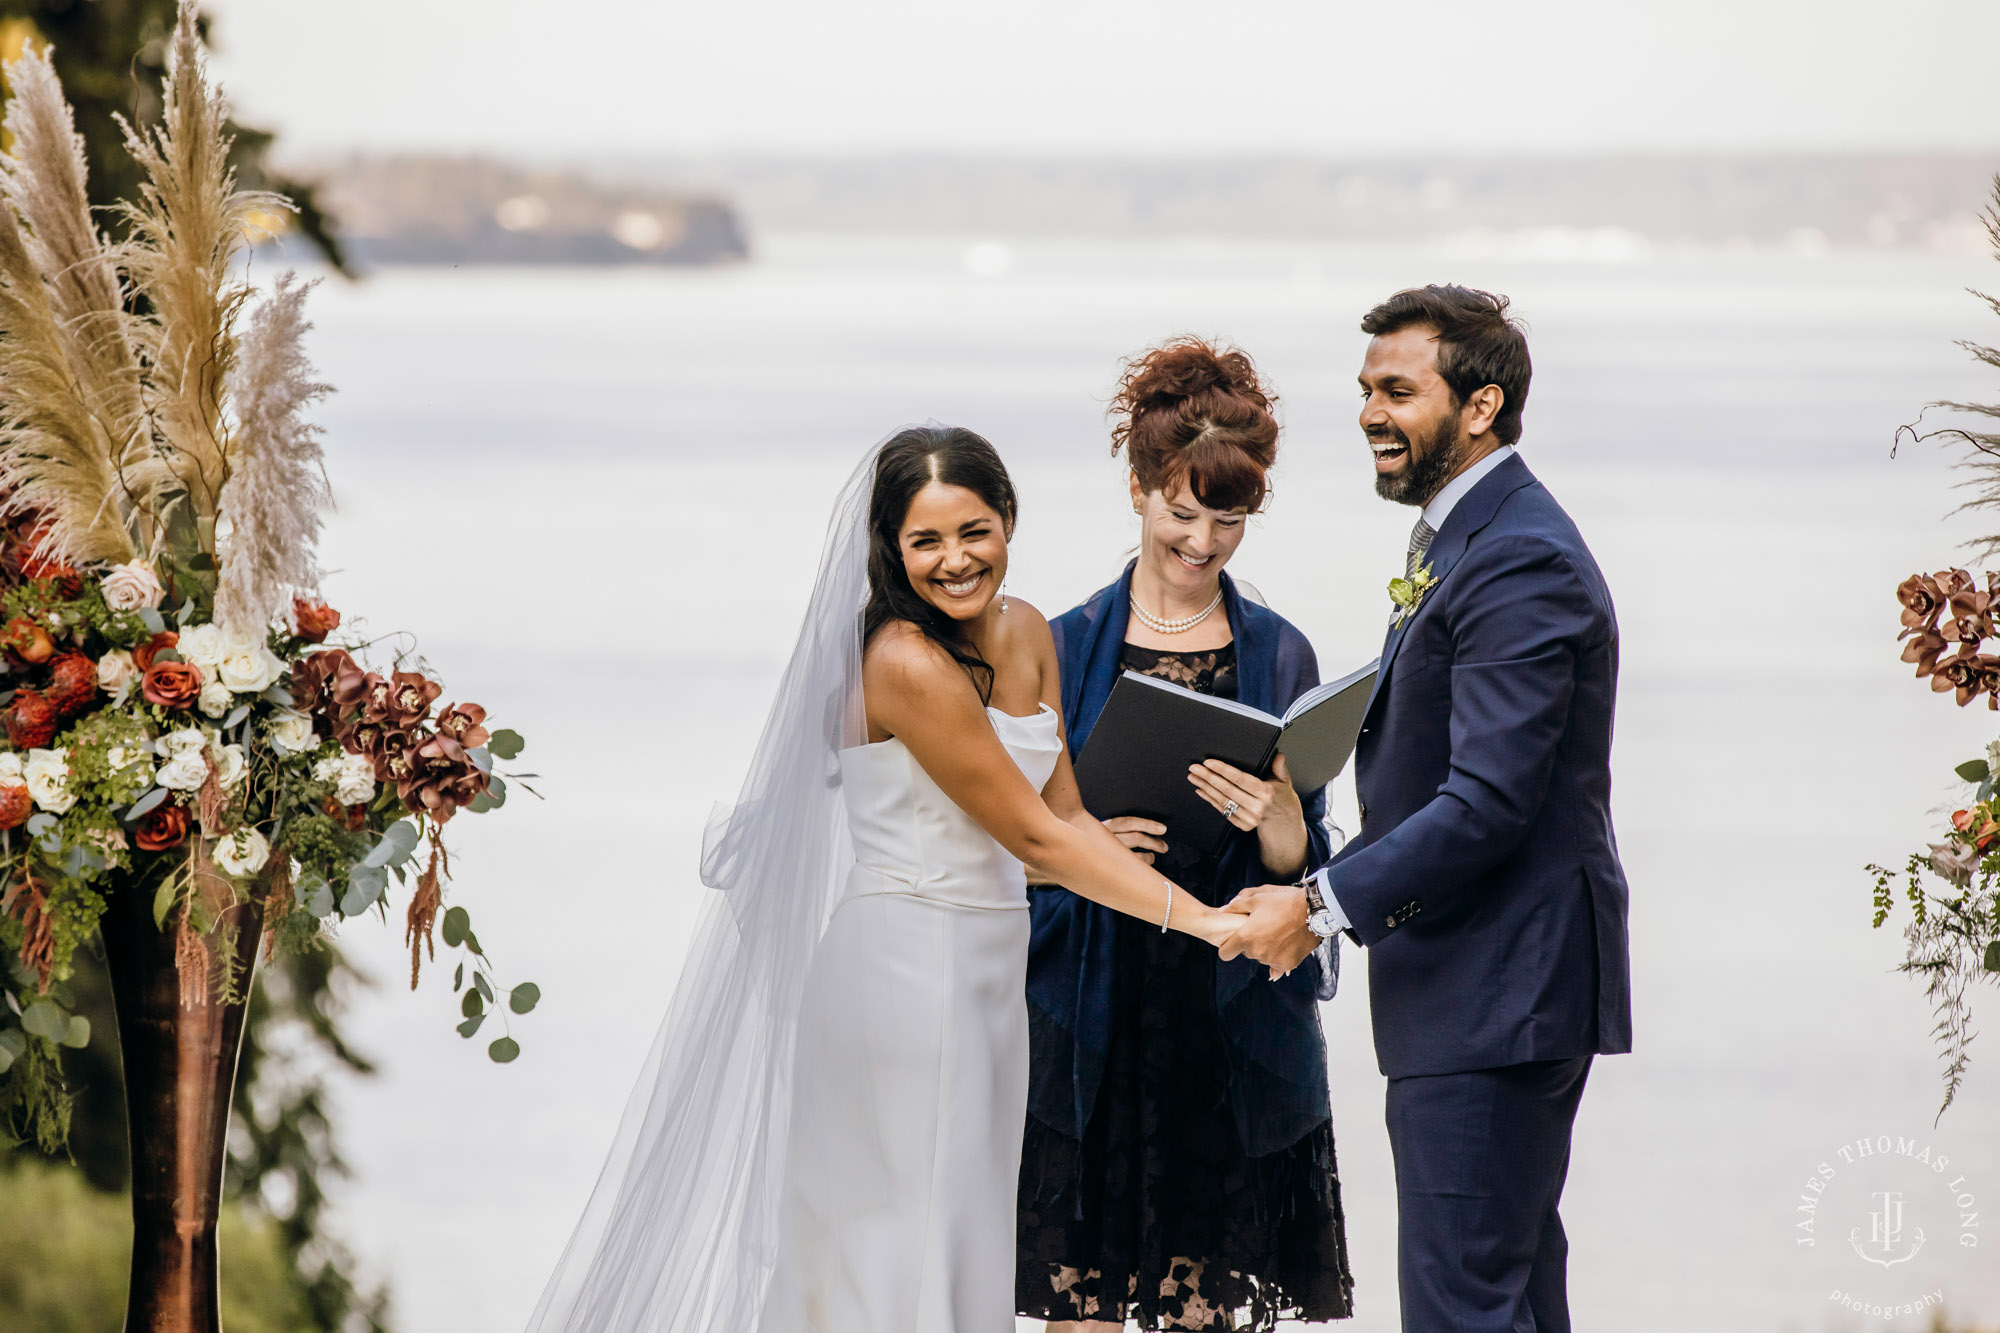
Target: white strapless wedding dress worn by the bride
x=911, y=1080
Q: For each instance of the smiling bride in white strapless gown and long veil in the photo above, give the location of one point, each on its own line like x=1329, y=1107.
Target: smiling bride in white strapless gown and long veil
x=827, y=1134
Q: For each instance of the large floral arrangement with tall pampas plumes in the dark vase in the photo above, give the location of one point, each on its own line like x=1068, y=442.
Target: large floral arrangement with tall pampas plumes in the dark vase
x=179, y=718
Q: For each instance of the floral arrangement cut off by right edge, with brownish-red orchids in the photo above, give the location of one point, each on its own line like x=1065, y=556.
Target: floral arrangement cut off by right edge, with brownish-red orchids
x=1955, y=886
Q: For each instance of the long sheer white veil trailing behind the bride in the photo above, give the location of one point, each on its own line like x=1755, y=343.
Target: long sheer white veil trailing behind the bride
x=681, y=1232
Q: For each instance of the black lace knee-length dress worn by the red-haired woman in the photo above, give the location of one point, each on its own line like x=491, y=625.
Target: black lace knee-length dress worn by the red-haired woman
x=1159, y=1216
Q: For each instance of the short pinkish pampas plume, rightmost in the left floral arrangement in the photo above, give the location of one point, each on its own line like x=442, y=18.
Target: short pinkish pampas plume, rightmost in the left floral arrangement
x=277, y=477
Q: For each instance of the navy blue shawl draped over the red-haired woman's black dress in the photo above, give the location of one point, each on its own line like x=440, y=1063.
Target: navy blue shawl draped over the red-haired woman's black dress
x=1271, y=1028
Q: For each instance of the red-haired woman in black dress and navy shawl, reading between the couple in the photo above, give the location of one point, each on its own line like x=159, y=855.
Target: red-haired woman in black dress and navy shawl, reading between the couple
x=1179, y=1160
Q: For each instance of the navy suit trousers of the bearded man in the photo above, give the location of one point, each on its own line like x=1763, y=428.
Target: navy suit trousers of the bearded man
x=1481, y=1160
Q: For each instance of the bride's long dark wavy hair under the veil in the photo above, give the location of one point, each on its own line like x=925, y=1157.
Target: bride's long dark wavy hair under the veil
x=909, y=463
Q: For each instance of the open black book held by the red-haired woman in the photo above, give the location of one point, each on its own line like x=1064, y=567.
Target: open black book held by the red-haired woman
x=1153, y=732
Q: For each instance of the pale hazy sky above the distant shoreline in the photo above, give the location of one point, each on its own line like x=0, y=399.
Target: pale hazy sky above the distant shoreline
x=1115, y=75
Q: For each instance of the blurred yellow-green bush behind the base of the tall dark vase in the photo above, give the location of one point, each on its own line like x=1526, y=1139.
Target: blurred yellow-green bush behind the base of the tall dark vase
x=69, y=1250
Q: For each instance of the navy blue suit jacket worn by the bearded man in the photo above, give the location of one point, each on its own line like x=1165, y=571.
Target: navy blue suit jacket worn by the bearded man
x=1485, y=880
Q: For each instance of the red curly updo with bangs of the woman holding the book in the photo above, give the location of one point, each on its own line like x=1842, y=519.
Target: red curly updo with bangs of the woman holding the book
x=1197, y=413
